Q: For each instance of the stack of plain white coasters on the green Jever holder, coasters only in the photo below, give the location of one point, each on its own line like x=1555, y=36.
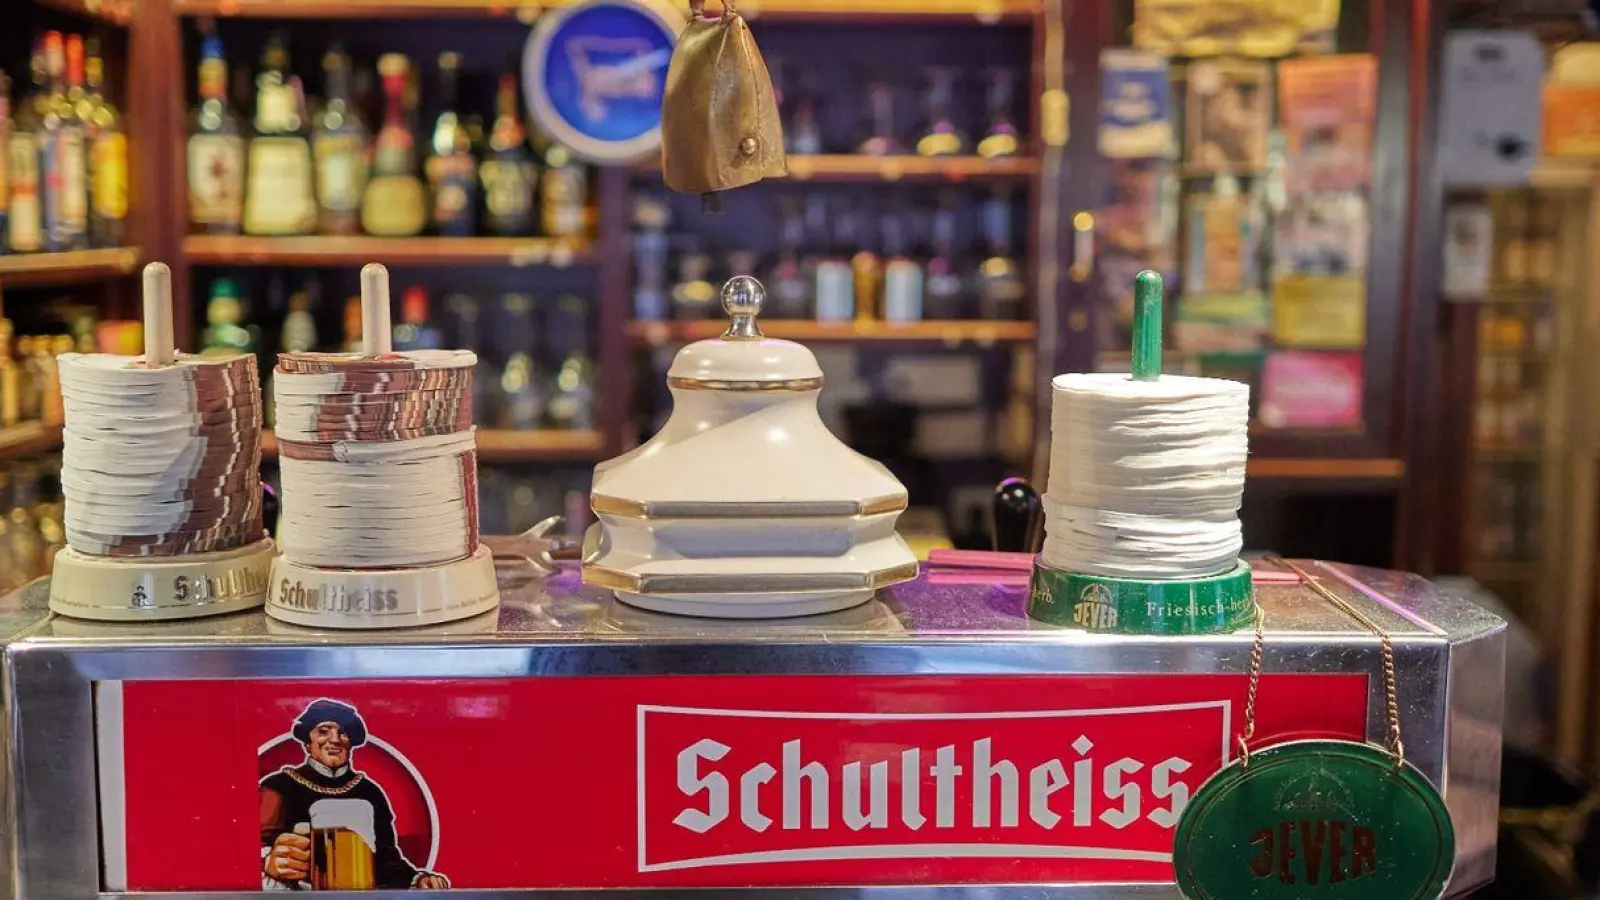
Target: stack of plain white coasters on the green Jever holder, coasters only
x=1146, y=478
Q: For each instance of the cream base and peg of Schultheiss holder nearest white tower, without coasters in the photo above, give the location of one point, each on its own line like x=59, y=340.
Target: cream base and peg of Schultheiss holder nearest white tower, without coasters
x=382, y=598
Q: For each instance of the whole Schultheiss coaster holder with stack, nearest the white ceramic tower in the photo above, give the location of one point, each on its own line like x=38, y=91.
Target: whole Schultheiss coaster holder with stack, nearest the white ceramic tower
x=378, y=460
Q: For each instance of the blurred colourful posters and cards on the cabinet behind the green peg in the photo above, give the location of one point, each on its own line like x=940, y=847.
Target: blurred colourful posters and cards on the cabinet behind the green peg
x=1239, y=164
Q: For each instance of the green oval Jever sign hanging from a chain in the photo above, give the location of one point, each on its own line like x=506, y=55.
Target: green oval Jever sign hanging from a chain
x=1316, y=821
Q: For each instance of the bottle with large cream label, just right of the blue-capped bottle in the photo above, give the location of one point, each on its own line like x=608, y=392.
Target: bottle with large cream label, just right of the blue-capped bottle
x=279, y=175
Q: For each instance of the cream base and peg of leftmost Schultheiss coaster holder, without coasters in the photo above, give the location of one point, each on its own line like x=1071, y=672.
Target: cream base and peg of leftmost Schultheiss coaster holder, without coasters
x=156, y=589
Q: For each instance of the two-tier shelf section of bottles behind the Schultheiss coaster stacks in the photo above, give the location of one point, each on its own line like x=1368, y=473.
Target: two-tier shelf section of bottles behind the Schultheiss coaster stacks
x=292, y=191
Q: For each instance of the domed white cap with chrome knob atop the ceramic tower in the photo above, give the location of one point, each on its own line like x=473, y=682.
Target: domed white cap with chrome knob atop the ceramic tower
x=743, y=360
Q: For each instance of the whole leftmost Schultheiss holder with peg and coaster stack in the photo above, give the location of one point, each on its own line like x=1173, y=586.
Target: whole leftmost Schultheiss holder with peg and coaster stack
x=161, y=470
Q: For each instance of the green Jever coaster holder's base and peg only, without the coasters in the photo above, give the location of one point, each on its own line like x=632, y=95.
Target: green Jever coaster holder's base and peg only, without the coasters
x=1182, y=606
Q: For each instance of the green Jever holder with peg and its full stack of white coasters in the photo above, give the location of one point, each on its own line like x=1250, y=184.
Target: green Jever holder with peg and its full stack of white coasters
x=1142, y=512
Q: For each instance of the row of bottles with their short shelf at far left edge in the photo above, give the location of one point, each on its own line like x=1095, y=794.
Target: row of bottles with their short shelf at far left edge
x=65, y=201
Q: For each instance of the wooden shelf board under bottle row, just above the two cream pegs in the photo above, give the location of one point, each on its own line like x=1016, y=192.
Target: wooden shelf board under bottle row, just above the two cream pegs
x=324, y=251
